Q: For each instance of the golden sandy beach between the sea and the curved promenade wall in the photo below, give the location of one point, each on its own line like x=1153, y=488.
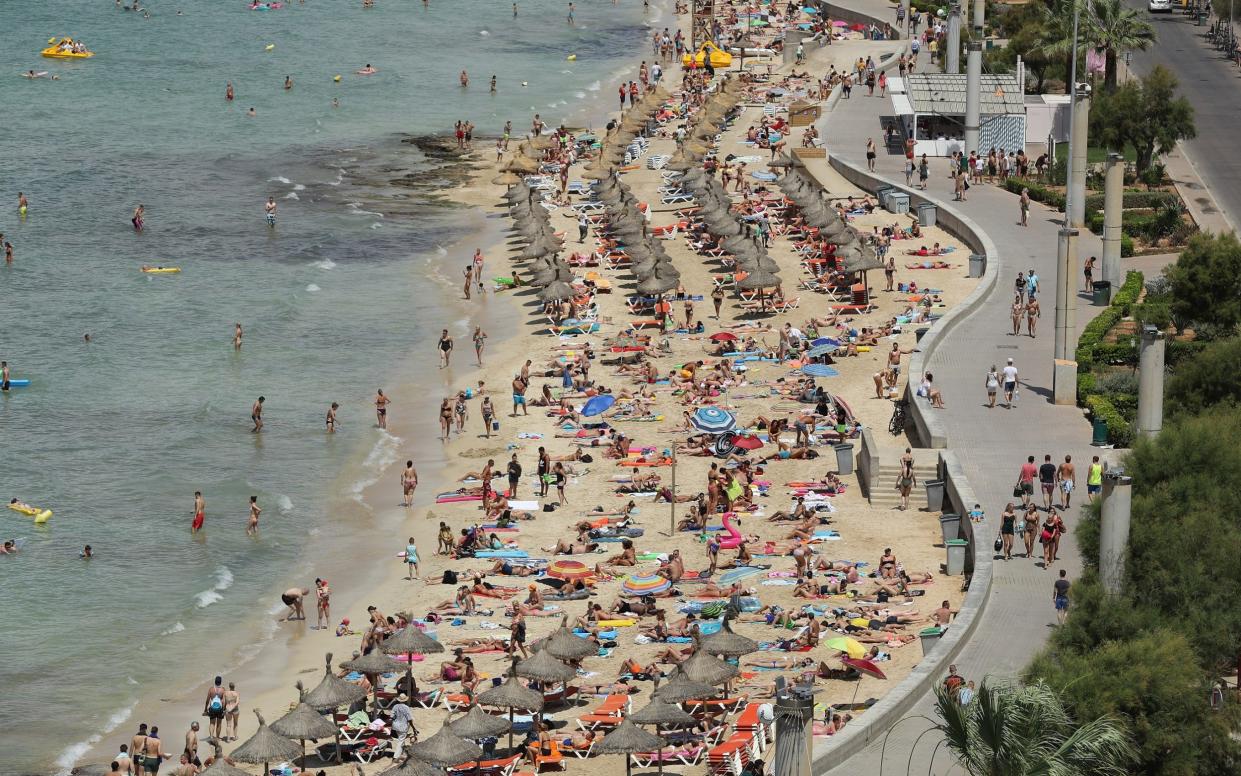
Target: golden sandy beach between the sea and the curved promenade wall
x=519, y=331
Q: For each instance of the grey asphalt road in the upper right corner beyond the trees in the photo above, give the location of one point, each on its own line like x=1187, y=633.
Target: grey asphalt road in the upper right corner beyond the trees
x=1213, y=86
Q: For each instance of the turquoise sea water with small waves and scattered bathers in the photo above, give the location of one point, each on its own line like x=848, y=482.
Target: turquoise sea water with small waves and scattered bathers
x=117, y=435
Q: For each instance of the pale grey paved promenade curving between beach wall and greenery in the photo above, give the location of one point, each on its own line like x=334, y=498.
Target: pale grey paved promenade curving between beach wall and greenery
x=991, y=444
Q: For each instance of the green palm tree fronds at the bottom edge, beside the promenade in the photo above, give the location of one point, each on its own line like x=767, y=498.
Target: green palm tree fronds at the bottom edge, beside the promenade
x=1026, y=731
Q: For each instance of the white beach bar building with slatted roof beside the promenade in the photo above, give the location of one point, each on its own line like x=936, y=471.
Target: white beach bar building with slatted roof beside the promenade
x=931, y=109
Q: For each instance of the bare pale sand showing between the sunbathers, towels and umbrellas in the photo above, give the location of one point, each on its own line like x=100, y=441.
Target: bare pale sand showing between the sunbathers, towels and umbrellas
x=518, y=332
